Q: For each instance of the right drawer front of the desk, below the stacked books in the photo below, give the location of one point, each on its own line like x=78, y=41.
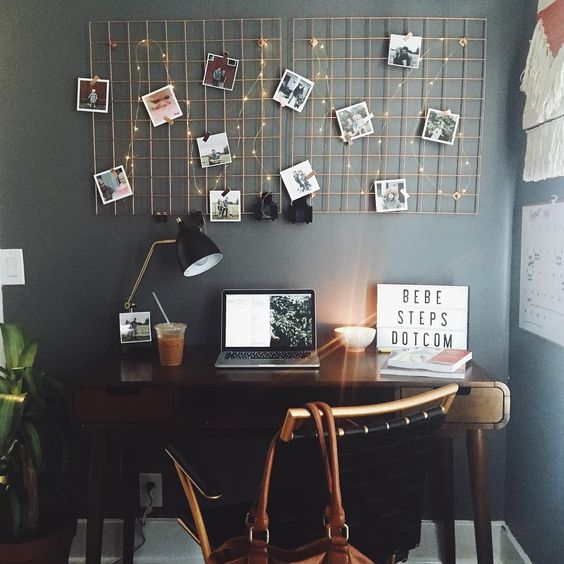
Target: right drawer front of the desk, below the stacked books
x=473, y=405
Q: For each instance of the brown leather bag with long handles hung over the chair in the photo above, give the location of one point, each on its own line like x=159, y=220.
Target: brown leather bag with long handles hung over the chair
x=331, y=548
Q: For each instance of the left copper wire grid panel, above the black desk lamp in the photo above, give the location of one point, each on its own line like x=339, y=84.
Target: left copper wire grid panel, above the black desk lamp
x=162, y=163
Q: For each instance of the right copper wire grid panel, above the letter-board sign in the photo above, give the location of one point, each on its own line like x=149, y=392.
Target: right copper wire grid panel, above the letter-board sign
x=348, y=60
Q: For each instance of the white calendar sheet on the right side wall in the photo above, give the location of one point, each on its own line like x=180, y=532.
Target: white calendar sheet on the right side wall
x=541, y=304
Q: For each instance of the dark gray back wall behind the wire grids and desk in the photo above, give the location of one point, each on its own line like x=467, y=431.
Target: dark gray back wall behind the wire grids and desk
x=79, y=267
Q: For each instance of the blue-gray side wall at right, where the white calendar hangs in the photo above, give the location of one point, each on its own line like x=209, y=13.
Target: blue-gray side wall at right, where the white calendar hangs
x=535, y=445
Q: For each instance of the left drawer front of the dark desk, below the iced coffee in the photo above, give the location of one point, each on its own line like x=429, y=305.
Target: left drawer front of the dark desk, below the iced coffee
x=123, y=405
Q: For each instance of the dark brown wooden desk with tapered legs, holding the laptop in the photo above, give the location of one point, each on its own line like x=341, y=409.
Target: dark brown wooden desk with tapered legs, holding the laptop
x=129, y=395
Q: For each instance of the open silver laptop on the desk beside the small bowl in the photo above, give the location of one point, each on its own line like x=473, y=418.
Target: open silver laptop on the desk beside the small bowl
x=268, y=329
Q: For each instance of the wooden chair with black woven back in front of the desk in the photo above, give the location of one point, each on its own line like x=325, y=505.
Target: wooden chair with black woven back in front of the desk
x=384, y=455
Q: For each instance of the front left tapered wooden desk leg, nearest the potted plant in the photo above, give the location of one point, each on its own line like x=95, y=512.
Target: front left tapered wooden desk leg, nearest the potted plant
x=96, y=481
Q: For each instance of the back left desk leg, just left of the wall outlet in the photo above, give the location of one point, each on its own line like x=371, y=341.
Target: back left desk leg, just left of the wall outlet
x=131, y=492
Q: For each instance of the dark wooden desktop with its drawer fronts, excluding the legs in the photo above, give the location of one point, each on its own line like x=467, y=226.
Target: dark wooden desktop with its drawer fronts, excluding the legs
x=141, y=392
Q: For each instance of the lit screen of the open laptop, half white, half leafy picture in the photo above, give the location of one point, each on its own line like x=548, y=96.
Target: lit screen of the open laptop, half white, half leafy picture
x=268, y=319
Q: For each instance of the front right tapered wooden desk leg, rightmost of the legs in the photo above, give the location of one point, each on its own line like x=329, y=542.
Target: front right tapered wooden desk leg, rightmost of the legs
x=477, y=464
